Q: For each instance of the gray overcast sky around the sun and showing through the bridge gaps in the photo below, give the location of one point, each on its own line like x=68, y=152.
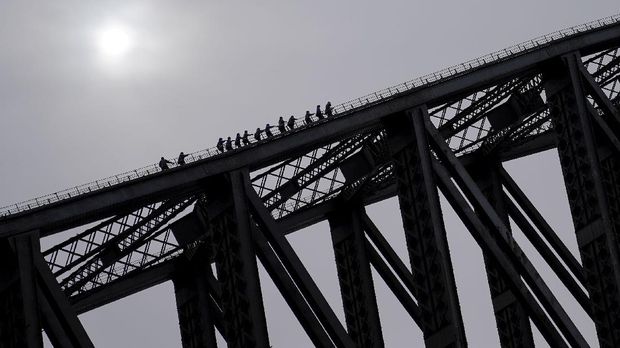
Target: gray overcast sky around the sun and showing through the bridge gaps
x=197, y=70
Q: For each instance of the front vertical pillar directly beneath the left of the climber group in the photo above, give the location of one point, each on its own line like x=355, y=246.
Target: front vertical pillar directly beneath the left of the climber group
x=241, y=300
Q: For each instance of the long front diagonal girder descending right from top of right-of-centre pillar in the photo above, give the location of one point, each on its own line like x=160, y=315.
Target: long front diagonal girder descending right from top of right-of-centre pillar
x=501, y=246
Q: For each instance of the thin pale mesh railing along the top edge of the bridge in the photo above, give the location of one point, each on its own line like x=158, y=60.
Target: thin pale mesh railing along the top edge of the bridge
x=338, y=110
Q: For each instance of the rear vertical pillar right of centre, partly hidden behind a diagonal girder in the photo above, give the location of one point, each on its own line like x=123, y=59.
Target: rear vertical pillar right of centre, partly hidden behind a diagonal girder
x=513, y=324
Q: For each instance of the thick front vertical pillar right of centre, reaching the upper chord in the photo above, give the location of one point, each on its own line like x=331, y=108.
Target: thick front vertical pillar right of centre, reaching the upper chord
x=424, y=231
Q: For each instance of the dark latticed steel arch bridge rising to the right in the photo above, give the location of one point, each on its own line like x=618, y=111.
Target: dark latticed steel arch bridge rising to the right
x=203, y=225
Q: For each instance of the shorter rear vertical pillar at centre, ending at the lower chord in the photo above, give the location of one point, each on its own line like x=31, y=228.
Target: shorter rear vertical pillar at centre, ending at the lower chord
x=356, y=284
